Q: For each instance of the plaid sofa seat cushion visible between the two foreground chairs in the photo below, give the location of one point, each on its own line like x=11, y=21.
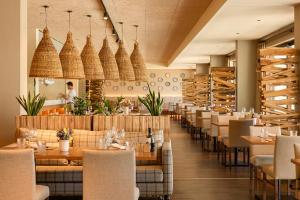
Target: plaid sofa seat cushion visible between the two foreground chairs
x=58, y=174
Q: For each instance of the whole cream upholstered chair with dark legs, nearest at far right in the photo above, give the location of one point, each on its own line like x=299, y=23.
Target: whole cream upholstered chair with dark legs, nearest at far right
x=282, y=168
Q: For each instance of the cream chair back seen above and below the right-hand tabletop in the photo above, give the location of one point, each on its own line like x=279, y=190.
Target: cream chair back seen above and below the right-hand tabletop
x=263, y=149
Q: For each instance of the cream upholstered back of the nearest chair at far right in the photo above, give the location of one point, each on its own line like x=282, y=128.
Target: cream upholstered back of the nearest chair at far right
x=284, y=152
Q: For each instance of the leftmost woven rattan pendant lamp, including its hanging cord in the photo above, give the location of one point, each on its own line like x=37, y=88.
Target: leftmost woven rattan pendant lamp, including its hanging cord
x=45, y=61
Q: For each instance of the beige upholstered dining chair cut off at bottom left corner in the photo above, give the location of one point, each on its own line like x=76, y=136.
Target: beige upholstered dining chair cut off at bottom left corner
x=18, y=176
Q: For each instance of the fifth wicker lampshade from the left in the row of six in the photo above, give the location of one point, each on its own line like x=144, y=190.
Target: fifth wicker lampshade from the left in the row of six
x=124, y=64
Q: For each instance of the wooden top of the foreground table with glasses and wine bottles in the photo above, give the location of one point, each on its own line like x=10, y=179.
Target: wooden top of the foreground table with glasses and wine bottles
x=142, y=152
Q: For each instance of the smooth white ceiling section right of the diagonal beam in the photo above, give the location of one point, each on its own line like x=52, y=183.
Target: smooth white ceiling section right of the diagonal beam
x=236, y=20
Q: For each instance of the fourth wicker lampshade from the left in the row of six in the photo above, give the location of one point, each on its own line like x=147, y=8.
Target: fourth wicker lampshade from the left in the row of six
x=108, y=61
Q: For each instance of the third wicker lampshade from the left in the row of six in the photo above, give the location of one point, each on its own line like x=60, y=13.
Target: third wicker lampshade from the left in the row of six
x=91, y=62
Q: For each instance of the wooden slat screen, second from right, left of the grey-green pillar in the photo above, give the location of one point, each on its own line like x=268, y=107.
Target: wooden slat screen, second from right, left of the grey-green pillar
x=223, y=83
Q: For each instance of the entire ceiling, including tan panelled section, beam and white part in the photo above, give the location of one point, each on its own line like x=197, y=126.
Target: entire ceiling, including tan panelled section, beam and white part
x=171, y=32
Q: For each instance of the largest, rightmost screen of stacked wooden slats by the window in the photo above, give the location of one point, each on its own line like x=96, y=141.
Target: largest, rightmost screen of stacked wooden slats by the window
x=279, y=86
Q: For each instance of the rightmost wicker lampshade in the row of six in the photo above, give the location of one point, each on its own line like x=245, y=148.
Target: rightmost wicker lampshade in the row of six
x=138, y=64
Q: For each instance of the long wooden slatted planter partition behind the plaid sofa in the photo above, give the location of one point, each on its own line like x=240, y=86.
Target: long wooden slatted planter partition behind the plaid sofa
x=130, y=123
